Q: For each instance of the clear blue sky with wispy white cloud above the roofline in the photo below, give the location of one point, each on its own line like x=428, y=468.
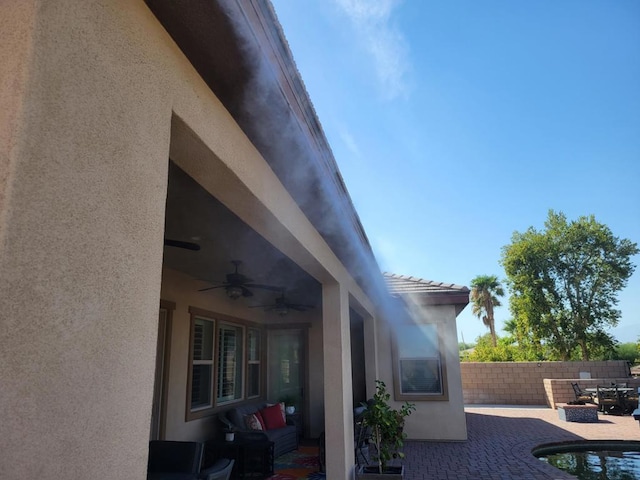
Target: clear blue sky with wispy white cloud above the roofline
x=456, y=123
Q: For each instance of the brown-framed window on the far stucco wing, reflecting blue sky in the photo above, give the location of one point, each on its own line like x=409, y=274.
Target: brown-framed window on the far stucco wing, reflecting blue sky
x=419, y=372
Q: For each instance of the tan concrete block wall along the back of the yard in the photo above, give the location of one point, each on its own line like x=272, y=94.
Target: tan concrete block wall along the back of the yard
x=523, y=383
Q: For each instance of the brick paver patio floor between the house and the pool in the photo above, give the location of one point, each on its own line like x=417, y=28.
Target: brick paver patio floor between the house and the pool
x=500, y=443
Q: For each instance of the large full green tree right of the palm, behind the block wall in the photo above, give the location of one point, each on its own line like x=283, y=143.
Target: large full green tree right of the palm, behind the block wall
x=564, y=283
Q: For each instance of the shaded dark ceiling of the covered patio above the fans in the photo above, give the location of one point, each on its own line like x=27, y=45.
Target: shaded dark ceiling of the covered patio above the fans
x=194, y=215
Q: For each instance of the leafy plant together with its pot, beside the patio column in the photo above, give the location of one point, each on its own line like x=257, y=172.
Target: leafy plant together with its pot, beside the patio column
x=386, y=435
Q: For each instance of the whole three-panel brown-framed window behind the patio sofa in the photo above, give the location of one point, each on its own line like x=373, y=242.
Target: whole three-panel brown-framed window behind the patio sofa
x=224, y=362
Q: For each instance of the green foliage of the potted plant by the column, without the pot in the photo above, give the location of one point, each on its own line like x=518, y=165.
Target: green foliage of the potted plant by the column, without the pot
x=386, y=424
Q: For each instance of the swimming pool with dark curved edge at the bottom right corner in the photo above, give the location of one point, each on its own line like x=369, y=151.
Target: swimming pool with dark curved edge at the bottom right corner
x=595, y=459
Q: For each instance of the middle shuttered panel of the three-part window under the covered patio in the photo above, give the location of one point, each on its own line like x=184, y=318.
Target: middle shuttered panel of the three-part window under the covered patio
x=229, y=363
